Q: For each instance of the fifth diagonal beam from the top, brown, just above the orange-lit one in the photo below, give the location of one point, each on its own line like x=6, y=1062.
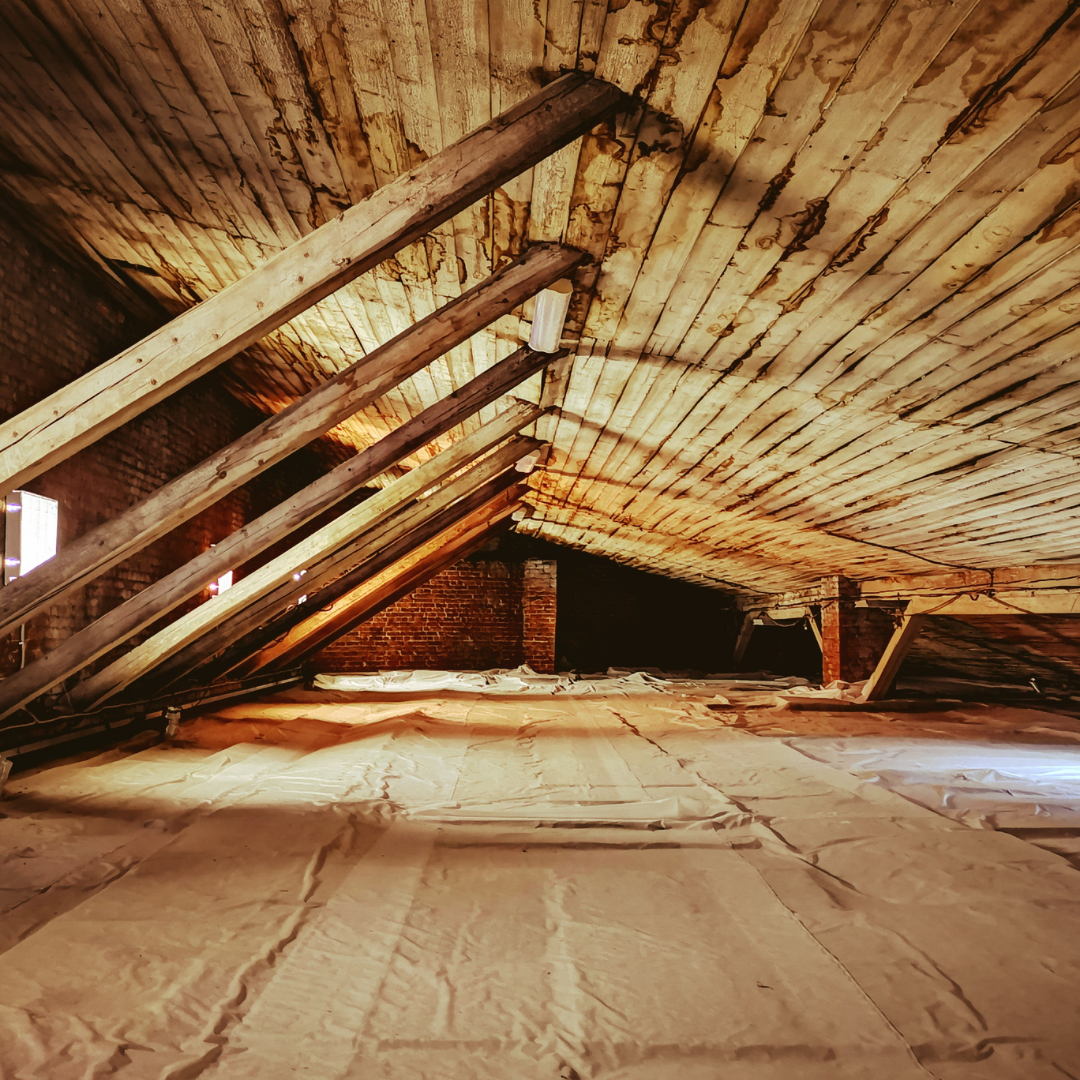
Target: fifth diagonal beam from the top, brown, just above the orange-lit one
x=388, y=542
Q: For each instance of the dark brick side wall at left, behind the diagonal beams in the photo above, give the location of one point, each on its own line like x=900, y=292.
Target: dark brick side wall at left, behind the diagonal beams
x=56, y=325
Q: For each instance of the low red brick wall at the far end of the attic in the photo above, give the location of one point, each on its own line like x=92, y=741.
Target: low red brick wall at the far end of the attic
x=469, y=617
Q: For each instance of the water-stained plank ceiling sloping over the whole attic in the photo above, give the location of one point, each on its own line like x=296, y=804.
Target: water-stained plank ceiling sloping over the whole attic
x=833, y=319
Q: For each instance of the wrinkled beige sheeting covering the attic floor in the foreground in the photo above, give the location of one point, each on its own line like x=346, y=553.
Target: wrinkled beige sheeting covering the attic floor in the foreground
x=343, y=886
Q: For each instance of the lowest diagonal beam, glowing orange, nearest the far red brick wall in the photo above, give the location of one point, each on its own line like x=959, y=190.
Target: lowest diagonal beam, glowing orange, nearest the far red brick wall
x=359, y=603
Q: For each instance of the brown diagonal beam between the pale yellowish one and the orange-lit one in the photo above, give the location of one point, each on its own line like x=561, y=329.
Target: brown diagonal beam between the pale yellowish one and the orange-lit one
x=325, y=575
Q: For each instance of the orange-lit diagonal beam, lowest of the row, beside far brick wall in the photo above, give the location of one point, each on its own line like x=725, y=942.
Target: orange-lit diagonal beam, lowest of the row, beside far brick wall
x=376, y=579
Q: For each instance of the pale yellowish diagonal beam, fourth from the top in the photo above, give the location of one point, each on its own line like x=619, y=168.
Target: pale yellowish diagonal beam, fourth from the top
x=347, y=528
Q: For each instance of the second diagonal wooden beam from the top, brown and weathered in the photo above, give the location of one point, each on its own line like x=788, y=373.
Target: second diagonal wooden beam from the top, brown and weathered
x=274, y=440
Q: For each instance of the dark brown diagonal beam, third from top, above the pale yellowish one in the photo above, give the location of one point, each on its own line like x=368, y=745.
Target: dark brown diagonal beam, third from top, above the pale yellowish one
x=191, y=579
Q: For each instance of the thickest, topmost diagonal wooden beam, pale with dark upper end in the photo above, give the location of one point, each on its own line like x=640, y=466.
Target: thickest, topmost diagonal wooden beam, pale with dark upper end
x=303, y=275
